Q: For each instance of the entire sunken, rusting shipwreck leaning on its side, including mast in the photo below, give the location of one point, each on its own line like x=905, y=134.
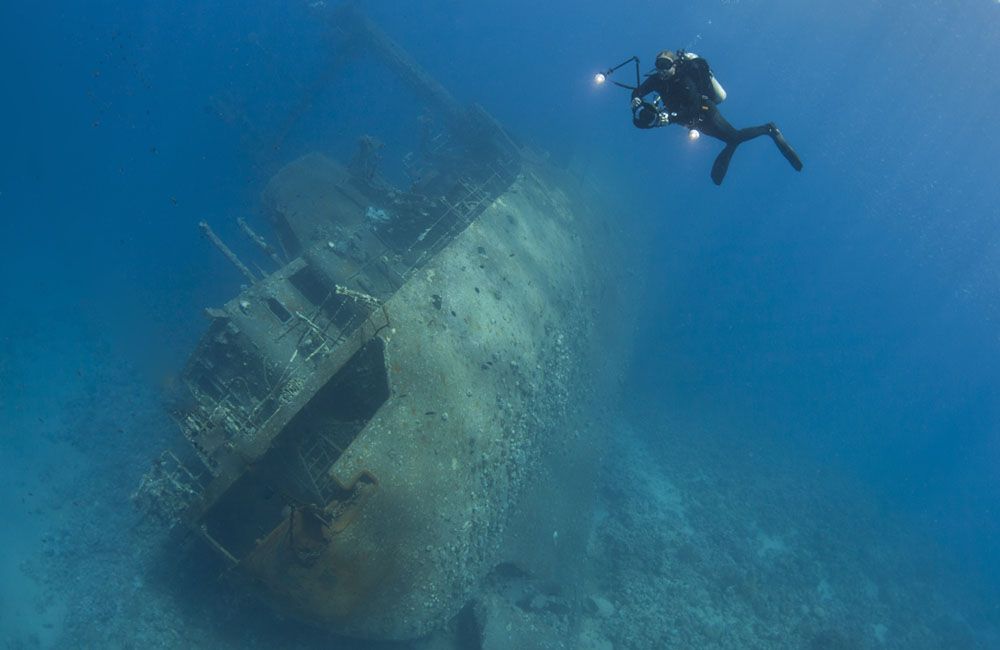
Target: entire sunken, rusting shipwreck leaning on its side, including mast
x=364, y=418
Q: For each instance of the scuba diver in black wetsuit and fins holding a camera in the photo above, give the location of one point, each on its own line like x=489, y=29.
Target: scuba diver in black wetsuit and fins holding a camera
x=687, y=94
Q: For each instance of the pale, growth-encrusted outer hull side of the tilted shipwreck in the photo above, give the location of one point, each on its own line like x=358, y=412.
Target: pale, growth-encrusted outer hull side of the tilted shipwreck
x=482, y=353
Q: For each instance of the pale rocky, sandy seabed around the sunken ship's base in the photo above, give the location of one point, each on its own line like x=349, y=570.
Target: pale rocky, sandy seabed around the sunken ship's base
x=698, y=539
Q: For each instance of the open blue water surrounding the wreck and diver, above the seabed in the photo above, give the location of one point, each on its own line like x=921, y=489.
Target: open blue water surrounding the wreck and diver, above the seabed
x=848, y=315
